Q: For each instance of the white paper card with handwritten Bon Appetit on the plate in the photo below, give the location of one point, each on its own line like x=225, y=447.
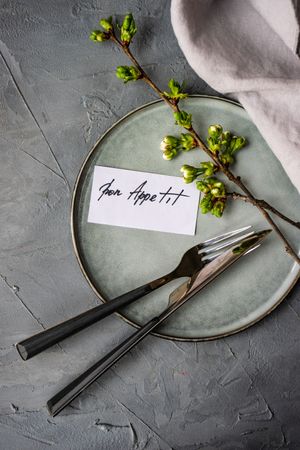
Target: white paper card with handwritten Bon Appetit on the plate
x=148, y=201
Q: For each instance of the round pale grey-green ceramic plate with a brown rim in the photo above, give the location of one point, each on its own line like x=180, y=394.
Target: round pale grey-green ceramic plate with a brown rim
x=115, y=260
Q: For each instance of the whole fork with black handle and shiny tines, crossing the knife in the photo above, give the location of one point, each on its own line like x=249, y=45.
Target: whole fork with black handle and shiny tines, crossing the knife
x=193, y=260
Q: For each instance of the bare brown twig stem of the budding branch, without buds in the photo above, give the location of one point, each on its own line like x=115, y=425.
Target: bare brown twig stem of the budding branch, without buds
x=233, y=178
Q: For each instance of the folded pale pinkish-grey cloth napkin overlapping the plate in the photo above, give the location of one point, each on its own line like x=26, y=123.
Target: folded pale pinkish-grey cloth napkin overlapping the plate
x=230, y=45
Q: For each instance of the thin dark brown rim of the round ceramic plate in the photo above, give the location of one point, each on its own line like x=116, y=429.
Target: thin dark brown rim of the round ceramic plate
x=79, y=259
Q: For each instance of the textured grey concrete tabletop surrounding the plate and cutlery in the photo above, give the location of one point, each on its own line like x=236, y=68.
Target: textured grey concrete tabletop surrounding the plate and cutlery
x=58, y=94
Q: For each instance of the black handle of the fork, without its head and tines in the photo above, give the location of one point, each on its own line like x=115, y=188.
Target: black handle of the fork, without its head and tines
x=45, y=339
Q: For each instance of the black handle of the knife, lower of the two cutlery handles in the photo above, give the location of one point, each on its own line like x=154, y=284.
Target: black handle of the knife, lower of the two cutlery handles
x=60, y=400
